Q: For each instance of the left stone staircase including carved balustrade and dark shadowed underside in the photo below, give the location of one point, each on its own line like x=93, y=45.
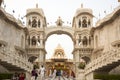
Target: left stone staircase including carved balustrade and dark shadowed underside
x=12, y=61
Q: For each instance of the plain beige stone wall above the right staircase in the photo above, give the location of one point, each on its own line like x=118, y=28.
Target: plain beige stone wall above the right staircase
x=107, y=34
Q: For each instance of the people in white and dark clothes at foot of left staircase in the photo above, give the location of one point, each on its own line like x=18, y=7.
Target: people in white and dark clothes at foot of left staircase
x=38, y=74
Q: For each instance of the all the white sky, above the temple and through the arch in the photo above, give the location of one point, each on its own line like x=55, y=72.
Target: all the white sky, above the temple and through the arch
x=66, y=10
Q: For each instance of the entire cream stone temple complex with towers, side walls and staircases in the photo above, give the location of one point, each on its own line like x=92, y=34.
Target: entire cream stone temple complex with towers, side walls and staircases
x=96, y=48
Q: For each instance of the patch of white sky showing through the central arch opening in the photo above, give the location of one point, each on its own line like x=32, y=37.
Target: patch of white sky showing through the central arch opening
x=65, y=41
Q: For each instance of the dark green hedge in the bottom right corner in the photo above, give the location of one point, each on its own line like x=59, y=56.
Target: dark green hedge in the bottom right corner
x=107, y=76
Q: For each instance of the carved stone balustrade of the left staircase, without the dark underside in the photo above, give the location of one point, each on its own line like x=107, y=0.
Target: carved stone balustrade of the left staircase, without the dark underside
x=15, y=59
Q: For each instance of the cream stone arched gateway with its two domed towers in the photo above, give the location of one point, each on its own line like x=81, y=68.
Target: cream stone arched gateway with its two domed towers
x=80, y=33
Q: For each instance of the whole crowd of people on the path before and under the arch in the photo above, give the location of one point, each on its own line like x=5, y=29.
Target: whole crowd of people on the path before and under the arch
x=39, y=74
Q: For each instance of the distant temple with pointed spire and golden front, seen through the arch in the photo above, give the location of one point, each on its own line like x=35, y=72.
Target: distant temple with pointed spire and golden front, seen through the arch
x=59, y=61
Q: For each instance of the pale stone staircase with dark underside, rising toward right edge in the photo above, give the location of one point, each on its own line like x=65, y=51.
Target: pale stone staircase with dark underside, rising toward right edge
x=106, y=61
